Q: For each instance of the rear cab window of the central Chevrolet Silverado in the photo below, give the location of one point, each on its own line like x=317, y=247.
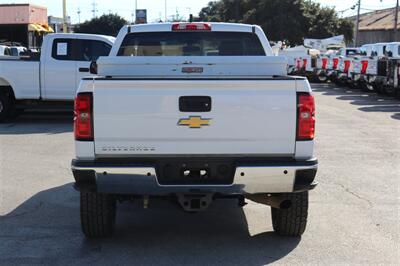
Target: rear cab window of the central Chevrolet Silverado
x=191, y=44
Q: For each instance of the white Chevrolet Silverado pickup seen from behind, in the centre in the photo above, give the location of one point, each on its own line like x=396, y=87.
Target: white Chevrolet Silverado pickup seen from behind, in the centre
x=194, y=112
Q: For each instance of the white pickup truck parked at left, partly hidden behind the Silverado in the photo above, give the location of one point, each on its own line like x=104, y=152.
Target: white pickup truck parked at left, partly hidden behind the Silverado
x=53, y=76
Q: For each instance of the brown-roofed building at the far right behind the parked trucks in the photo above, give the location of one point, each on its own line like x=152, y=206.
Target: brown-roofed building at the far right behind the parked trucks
x=377, y=26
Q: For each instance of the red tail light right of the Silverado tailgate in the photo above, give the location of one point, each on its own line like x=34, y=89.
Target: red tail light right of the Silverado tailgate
x=305, y=116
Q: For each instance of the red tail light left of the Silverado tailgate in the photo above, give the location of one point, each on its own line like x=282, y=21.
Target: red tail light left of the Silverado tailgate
x=83, y=117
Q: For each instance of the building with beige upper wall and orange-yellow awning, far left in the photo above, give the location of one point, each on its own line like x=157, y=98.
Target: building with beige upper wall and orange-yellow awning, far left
x=24, y=24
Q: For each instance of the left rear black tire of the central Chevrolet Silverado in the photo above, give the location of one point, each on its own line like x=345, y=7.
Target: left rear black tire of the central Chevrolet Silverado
x=98, y=213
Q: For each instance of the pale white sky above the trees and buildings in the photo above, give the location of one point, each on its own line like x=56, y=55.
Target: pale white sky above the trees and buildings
x=156, y=10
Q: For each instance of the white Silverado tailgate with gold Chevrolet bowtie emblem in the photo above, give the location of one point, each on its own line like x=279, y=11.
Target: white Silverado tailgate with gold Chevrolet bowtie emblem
x=142, y=117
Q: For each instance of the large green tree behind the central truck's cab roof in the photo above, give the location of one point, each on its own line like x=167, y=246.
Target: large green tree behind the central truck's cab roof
x=289, y=20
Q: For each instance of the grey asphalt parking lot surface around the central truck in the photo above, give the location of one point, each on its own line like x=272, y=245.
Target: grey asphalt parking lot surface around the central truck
x=354, y=212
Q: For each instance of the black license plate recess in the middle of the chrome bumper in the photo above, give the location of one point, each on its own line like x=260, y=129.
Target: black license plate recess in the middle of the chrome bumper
x=195, y=173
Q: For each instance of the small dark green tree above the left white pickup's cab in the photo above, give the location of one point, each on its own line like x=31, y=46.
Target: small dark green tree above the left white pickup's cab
x=109, y=24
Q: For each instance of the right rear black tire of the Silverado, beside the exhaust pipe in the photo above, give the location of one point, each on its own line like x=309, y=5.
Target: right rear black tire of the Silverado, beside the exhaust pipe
x=292, y=221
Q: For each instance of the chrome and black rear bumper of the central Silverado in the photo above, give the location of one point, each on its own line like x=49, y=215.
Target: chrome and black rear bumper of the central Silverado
x=144, y=179
